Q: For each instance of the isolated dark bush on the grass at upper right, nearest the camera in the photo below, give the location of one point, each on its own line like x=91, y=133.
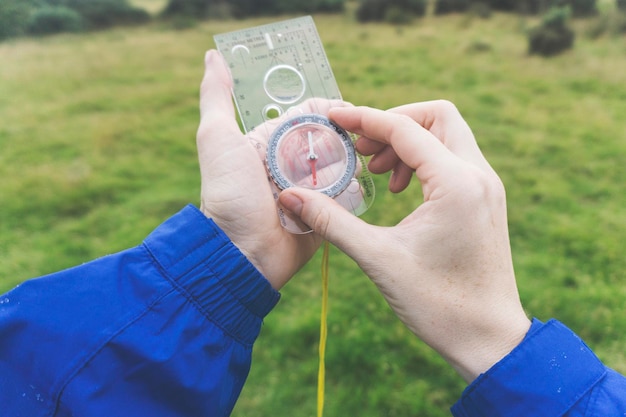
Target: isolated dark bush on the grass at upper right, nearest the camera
x=553, y=35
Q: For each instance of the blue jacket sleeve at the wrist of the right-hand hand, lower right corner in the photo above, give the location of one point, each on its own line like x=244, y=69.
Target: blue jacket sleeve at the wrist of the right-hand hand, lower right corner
x=551, y=373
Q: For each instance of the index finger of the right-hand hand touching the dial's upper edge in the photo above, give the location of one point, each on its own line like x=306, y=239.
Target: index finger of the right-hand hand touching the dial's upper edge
x=415, y=146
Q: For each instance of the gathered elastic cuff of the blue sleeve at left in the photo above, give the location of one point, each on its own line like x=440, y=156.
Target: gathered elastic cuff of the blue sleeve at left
x=203, y=264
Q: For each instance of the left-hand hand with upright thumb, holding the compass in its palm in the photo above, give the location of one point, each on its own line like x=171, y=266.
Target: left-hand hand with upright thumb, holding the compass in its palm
x=235, y=191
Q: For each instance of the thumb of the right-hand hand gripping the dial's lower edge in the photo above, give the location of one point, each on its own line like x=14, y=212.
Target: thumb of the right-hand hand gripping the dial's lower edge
x=328, y=219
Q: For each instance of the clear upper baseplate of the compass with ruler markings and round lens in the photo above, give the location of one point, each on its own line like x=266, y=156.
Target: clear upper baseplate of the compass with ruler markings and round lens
x=276, y=66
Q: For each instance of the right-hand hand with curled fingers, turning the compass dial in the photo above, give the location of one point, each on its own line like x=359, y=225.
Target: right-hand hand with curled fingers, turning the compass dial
x=446, y=268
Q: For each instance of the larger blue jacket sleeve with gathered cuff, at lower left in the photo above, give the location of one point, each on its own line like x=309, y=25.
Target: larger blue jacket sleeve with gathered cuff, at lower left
x=163, y=329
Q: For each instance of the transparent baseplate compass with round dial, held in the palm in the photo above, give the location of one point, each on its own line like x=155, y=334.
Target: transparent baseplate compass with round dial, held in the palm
x=282, y=87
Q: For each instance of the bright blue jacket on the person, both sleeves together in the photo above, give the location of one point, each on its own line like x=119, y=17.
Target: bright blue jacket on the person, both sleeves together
x=166, y=329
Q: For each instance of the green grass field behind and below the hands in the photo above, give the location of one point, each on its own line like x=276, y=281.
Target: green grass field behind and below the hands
x=97, y=137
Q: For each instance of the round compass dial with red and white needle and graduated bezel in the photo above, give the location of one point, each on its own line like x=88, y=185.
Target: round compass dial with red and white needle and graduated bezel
x=312, y=152
